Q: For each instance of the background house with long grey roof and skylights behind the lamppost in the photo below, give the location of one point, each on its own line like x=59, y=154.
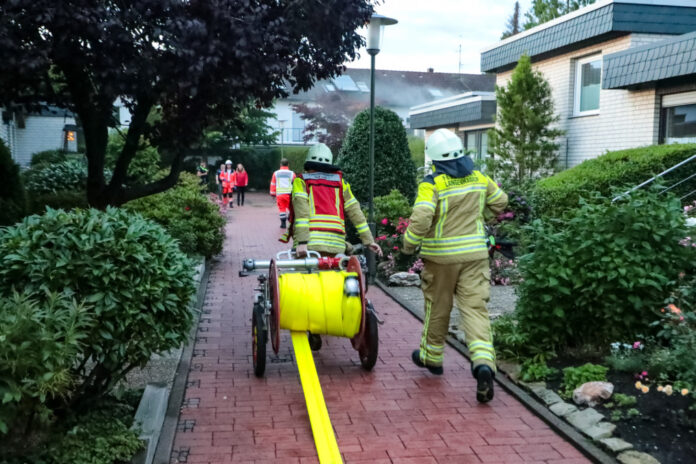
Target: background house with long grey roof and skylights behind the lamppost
x=396, y=90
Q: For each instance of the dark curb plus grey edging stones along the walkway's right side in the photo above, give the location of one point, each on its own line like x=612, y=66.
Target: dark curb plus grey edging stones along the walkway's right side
x=541, y=407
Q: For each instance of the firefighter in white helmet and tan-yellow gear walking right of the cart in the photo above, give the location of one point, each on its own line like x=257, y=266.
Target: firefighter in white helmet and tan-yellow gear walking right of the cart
x=448, y=224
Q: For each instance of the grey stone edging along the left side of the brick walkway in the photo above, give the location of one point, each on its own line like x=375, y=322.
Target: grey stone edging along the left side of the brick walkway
x=158, y=411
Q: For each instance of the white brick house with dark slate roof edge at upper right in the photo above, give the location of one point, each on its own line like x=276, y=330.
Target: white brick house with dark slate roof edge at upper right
x=622, y=73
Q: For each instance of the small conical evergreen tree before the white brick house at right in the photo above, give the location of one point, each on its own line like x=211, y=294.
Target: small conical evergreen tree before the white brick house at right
x=523, y=144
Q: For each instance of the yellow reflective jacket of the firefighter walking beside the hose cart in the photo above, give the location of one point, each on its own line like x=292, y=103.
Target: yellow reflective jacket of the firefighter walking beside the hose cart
x=448, y=216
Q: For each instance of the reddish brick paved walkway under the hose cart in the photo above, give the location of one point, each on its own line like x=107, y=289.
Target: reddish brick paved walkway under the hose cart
x=397, y=413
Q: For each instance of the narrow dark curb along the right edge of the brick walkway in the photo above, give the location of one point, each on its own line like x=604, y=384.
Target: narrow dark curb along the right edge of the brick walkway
x=583, y=444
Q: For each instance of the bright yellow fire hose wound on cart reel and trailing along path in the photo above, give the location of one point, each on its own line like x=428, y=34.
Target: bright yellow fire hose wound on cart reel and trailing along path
x=308, y=302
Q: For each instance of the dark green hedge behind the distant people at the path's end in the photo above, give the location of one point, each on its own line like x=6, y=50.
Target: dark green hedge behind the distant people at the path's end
x=259, y=162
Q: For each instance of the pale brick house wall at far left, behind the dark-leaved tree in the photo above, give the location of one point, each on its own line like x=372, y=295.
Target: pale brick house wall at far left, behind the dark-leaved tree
x=51, y=128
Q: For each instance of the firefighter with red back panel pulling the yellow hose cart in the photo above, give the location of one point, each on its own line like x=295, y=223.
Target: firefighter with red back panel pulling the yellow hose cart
x=321, y=200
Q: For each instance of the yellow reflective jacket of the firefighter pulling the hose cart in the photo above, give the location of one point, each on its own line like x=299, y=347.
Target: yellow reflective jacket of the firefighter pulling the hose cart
x=325, y=233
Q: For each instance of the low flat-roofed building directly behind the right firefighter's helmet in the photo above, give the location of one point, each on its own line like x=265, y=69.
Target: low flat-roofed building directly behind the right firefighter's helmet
x=470, y=115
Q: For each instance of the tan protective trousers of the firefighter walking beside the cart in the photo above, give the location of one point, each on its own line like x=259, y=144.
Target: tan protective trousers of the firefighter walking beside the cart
x=469, y=283
